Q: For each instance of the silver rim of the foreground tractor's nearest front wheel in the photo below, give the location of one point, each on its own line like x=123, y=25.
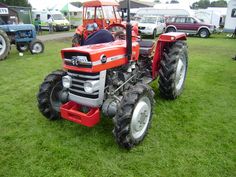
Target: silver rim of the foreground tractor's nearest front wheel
x=140, y=118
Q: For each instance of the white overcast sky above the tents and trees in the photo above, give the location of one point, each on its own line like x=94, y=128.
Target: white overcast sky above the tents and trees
x=50, y=3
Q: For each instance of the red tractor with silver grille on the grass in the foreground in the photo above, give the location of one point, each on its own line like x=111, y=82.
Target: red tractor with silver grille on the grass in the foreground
x=112, y=77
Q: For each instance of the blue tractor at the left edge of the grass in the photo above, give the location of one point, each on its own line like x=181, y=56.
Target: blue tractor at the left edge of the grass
x=23, y=36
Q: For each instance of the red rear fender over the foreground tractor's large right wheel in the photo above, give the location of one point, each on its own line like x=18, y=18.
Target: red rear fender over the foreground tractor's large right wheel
x=163, y=40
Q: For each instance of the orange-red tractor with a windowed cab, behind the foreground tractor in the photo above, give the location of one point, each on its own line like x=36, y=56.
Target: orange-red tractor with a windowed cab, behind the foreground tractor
x=97, y=14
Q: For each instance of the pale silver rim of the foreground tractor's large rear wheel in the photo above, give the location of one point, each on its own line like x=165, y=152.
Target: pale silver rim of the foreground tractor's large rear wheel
x=180, y=73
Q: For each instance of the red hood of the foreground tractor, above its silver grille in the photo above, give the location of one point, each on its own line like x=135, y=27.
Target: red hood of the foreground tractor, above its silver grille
x=97, y=57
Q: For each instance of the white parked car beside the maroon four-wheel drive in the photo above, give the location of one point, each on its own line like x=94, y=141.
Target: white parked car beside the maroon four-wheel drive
x=152, y=25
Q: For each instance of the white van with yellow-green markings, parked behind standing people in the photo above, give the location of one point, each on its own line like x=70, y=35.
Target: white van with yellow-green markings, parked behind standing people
x=59, y=22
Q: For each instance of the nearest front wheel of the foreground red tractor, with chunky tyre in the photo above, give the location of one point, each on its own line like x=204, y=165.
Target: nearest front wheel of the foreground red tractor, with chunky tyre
x=134, y=116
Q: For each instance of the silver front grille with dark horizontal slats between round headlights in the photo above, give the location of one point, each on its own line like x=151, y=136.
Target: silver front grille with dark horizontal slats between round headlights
x=78, y=80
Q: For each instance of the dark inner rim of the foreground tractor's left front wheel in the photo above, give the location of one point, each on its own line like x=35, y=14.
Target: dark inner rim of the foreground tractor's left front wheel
x=55, y=96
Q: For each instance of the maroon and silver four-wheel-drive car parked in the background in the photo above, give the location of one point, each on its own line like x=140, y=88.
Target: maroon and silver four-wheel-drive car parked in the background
x=189, y=25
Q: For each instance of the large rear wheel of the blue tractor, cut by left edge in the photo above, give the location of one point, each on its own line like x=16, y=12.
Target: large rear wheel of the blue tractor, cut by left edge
x=5, y=45
